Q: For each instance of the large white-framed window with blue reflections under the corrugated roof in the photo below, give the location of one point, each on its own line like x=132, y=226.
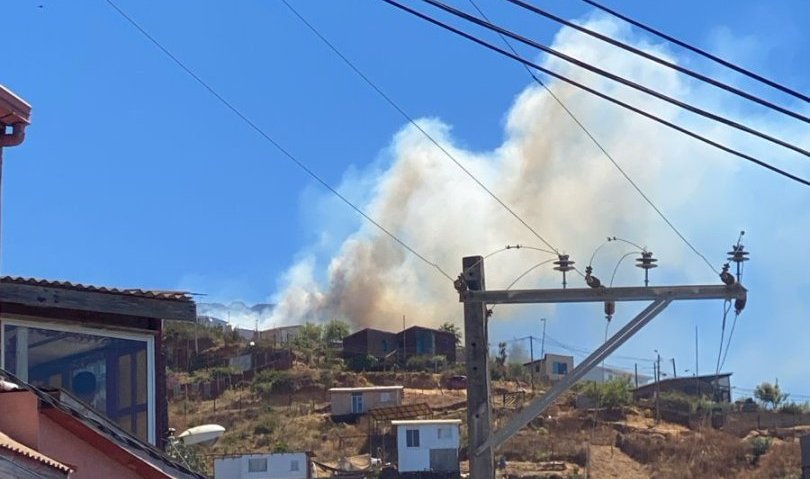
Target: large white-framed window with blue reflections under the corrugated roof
x=111, y=371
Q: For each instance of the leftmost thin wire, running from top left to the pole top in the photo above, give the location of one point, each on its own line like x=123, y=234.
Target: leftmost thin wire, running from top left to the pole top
x=273, y=142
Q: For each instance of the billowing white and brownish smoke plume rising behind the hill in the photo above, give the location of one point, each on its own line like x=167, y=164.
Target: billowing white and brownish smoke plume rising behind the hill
x=550, y=173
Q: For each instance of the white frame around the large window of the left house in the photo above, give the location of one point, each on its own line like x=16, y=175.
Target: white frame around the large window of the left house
x=55, y=325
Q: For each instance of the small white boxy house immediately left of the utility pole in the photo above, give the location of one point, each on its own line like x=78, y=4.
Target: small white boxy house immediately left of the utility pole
x=430, y=445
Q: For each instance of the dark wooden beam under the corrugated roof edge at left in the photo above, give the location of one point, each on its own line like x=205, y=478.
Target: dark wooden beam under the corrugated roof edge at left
x=92, y=301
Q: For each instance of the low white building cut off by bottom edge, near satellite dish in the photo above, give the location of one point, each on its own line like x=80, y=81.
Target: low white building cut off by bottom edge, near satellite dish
x=293, y=465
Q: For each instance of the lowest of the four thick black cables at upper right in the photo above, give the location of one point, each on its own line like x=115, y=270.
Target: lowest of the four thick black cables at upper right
x=599, y=94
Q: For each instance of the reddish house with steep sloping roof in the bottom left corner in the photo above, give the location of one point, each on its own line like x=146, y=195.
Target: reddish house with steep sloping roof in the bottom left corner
x=59, y=431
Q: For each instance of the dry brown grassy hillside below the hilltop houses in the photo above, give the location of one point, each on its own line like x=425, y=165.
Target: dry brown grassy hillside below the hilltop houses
x=567, y=442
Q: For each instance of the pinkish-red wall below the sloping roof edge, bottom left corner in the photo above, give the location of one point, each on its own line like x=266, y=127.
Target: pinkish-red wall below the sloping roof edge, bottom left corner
x=89, y=462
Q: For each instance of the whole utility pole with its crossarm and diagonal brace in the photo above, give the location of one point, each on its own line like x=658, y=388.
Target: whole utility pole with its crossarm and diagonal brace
x=472, y=292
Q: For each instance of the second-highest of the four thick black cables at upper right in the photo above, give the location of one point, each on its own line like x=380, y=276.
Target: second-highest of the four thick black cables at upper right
x=661, y=61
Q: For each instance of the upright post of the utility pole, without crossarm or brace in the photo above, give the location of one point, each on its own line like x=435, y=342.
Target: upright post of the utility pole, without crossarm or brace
x=476, y=341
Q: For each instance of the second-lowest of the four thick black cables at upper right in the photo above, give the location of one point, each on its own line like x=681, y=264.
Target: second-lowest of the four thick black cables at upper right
x=619, y=79
